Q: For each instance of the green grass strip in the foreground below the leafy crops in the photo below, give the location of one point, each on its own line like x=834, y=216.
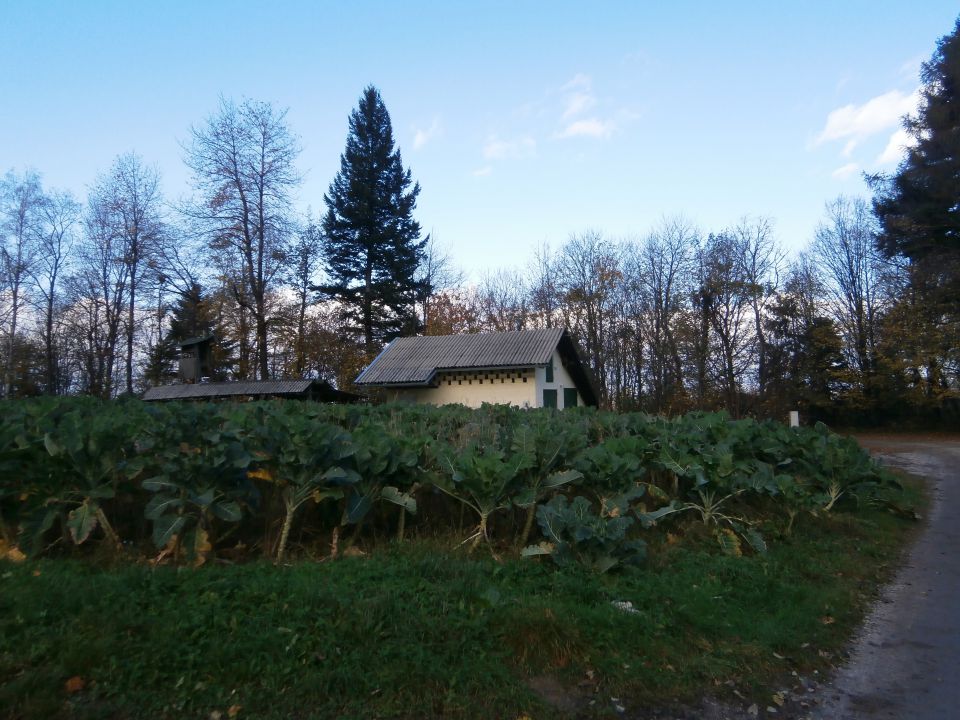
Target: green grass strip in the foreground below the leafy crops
x=420, y=631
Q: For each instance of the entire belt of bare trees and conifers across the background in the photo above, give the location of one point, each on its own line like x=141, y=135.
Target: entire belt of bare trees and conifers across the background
x=860, y=328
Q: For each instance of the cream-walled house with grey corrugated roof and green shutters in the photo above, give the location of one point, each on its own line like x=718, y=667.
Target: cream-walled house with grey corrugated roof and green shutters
x=527, y=368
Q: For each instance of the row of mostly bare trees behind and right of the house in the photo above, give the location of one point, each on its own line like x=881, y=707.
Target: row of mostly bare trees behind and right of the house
x=682, y=320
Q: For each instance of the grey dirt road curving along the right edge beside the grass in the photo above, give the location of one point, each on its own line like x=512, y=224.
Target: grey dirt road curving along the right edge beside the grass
x=906, y=662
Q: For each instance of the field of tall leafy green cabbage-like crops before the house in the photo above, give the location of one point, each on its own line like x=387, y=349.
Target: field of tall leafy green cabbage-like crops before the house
x=186, y=483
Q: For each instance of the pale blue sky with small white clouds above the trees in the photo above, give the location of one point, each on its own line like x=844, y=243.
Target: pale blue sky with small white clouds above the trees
x=524, y=122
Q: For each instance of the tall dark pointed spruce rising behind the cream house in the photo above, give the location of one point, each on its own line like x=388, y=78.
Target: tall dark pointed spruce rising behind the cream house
x=372, y=245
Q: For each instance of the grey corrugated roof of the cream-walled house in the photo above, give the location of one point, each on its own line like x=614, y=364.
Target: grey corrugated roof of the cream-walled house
x=414, y=360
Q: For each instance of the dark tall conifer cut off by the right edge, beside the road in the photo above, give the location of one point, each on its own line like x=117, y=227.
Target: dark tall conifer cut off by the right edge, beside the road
x=917, y=209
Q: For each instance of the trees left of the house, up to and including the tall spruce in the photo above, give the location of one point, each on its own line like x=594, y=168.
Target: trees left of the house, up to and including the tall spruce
x=96, y=295
